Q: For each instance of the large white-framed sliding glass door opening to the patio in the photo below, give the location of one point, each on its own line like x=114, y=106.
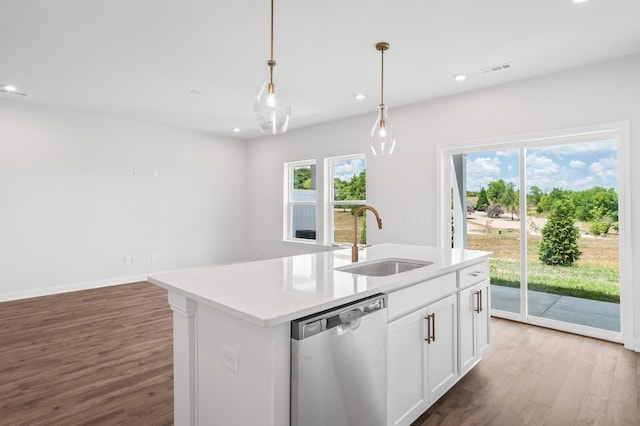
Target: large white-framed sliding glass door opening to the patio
x=549, y=210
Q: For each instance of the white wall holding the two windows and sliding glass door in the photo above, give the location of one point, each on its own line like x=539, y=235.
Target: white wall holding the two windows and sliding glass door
x=402, y=186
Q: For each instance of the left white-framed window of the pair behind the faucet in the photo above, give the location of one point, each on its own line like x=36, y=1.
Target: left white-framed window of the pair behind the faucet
x=300, y=200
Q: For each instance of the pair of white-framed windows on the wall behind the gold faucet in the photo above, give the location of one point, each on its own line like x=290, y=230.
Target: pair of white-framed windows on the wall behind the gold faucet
x=344, y=192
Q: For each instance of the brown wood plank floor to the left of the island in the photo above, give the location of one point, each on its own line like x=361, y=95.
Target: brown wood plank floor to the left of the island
x=94, y=357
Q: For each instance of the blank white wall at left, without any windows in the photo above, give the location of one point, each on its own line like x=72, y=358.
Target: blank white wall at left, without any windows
x=69, y=214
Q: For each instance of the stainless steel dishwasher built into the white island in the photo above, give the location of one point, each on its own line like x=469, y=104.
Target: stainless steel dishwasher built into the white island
x=339, y=366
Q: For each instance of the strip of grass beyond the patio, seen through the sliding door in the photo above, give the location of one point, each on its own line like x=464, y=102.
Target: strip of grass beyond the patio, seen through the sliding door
x=584, y=281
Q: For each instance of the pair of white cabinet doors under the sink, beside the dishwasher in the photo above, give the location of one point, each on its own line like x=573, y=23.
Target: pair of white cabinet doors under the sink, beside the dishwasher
x=422, y=361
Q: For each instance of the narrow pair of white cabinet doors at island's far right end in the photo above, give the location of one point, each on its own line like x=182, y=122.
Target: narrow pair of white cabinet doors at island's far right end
x=474, y=305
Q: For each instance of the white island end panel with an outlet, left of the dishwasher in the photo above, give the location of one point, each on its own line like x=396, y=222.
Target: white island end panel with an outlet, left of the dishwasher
x=243, y=371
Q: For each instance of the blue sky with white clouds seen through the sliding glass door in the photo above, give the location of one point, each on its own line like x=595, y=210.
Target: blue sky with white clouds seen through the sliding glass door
x=576, y=167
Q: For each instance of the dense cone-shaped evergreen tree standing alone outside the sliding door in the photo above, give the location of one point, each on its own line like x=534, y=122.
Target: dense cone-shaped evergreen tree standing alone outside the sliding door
x=560, y=235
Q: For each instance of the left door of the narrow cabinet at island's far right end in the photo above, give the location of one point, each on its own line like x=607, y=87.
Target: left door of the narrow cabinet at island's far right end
x=467, y=300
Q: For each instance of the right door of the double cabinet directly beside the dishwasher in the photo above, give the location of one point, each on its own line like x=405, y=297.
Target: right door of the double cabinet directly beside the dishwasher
x=442, y=351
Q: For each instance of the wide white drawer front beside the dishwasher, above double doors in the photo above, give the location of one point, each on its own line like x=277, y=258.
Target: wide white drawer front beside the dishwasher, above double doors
x=411, y=298
